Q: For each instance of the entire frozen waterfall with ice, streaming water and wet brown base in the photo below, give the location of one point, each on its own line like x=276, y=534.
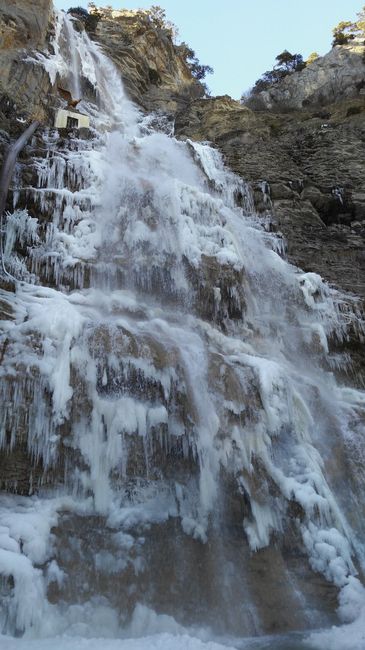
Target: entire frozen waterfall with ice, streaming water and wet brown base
x=178, y=452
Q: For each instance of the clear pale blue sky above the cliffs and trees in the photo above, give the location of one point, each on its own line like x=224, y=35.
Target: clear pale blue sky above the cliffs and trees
x=240, y=38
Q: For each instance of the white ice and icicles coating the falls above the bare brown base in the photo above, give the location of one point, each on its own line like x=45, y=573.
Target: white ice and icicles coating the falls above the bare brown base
x=173, y=323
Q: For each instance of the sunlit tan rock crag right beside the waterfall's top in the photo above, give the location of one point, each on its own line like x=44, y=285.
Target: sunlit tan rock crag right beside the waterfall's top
x=153, y=68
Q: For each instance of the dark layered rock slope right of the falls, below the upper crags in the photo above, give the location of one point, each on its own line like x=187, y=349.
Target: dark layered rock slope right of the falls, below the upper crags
x=306, y=169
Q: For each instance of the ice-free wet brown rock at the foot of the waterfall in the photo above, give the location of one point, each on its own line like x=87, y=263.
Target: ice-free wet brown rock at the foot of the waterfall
x=220, y=583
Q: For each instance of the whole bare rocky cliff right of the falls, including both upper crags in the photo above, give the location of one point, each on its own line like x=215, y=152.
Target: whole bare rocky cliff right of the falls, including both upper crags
x=304, y=157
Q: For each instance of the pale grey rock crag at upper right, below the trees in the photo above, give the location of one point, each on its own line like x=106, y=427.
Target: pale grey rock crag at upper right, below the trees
x=338, y=75
